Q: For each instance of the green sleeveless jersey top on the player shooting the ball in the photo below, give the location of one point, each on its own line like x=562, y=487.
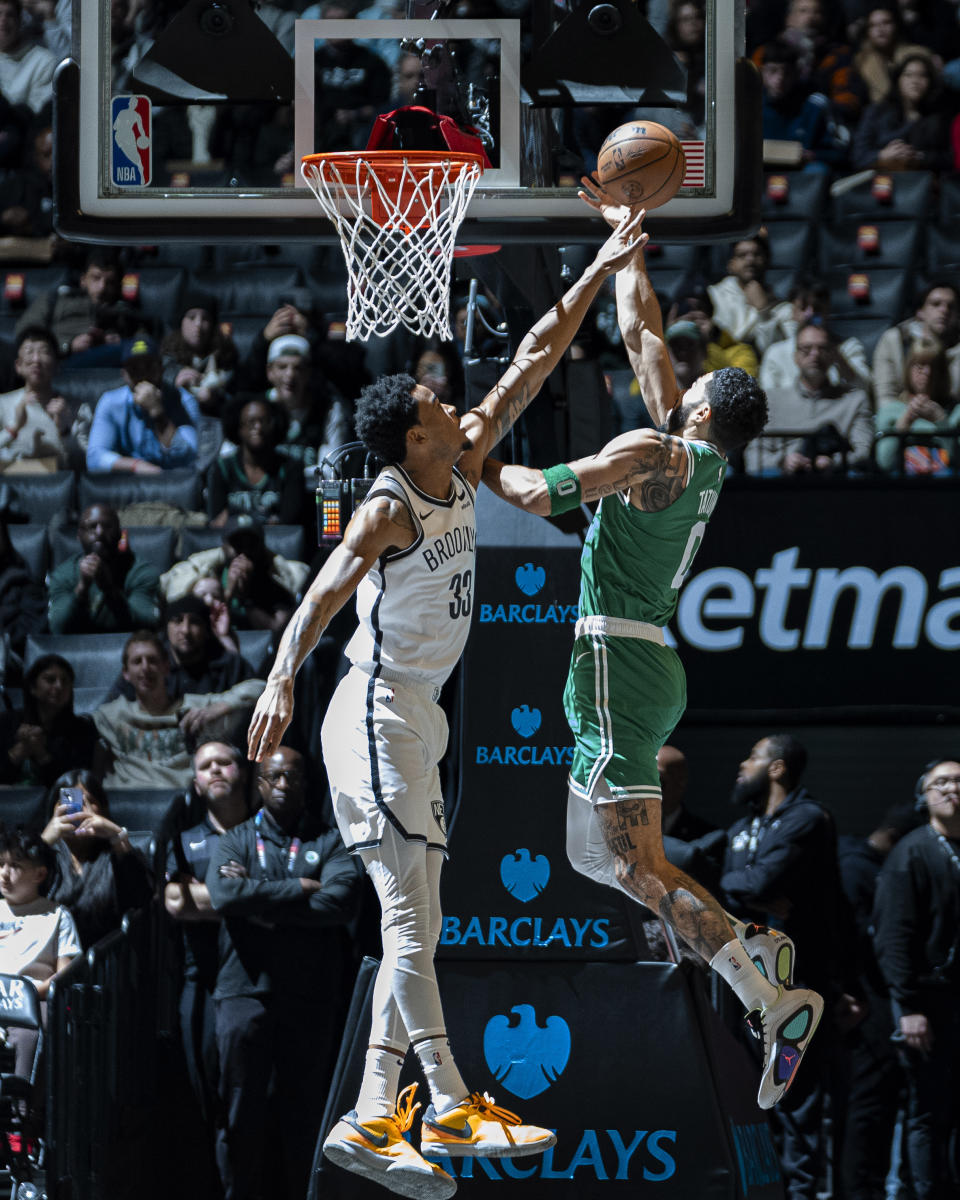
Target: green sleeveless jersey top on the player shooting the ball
x=634, y=563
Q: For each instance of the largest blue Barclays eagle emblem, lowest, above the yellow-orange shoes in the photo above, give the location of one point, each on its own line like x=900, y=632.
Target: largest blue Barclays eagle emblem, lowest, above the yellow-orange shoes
x=526, y=1058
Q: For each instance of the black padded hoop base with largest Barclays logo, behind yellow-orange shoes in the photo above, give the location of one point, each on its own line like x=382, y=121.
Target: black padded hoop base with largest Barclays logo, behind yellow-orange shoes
x=627, y=1063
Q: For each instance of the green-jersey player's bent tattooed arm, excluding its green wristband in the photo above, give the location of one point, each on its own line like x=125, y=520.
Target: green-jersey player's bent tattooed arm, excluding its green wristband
x=649, y=465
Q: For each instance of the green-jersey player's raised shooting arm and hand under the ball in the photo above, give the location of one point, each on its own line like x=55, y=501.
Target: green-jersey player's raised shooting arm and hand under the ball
x=639, y=316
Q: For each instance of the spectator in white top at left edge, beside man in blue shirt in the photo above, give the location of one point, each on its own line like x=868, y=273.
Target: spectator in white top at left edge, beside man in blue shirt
x=27, y=428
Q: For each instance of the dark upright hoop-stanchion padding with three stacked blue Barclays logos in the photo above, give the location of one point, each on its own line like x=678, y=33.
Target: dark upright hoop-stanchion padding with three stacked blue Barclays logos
x=511, y=891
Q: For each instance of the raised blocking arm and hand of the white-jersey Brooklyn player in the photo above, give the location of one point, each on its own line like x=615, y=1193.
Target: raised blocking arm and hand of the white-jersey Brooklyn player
x=542, y=350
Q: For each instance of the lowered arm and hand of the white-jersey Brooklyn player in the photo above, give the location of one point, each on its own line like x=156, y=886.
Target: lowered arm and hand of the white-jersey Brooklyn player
x=379, y=526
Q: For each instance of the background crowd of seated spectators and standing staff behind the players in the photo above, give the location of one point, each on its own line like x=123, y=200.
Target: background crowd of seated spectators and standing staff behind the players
x=100, y=379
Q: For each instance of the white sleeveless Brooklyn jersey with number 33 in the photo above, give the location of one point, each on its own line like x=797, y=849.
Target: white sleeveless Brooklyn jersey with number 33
x=415, y=607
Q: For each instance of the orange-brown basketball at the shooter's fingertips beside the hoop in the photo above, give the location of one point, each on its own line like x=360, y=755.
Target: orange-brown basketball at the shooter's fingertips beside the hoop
x=641, y=163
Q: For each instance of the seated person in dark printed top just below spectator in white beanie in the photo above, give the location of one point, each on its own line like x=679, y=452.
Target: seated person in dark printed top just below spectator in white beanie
x=257, y=479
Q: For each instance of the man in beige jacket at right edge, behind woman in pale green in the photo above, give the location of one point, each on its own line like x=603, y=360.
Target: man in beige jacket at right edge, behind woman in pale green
x=937, y=320
